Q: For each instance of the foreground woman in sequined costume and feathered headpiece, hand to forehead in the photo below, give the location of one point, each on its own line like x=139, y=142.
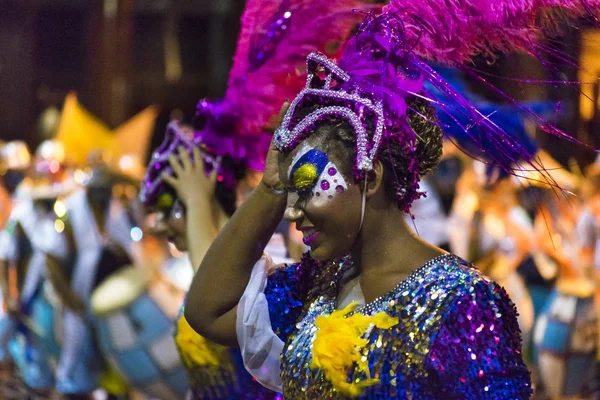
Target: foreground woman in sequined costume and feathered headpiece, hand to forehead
x=381, y=313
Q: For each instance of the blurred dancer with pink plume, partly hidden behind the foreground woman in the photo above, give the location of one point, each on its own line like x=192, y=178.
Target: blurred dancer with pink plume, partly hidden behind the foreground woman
x=231, y=144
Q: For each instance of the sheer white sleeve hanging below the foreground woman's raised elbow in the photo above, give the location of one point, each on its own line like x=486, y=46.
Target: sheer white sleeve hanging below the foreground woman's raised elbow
x=260, y=346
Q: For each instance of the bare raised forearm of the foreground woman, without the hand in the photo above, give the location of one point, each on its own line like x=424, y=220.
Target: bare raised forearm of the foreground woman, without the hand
x=225, y=270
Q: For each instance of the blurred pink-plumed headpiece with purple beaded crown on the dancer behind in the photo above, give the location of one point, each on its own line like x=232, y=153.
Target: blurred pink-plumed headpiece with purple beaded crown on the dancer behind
x=268, y=68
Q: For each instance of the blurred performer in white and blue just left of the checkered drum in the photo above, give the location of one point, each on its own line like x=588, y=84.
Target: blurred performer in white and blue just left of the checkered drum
x=99, y=230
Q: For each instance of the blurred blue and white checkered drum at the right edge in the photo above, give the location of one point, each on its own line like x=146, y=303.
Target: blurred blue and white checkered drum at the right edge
x=565, y=340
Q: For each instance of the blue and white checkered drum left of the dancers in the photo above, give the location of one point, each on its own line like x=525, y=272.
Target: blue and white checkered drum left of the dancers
x=134, y=310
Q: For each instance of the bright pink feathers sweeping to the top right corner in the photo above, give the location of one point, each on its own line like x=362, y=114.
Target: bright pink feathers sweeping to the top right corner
x=451, y=32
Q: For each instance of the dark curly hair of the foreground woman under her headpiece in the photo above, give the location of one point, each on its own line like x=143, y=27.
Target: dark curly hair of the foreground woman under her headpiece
x=337, y=137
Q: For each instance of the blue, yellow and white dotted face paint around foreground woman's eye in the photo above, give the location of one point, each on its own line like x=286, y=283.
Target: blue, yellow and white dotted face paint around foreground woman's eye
x=312, y=170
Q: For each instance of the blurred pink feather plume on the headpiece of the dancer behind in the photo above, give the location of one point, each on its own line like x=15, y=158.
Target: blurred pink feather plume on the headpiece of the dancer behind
x=255, y=97
